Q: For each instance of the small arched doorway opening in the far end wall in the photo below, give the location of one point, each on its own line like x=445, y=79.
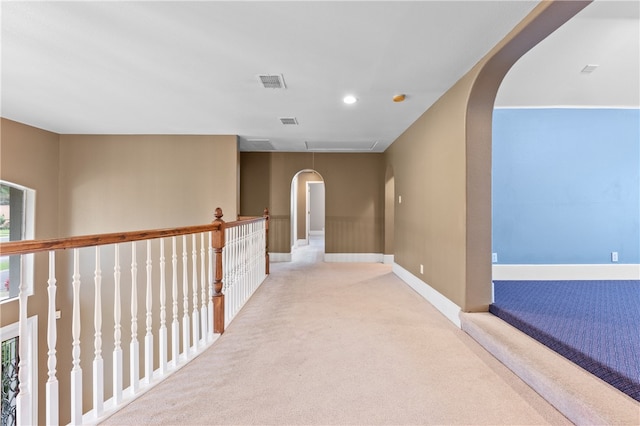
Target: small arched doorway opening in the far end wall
x=307, y=210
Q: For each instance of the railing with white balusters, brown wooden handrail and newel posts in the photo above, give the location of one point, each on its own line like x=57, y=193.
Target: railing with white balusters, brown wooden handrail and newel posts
x=177, y=309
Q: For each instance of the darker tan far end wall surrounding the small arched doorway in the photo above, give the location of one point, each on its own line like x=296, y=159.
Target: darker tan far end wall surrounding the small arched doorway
x=354, y=197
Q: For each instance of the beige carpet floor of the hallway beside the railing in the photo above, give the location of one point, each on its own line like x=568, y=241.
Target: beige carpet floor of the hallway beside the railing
x=340, y=343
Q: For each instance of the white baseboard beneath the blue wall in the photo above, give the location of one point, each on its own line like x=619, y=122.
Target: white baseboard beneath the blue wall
x=566, y=272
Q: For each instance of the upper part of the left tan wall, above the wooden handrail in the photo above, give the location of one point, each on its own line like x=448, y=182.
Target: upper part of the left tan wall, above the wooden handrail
x=126, y=183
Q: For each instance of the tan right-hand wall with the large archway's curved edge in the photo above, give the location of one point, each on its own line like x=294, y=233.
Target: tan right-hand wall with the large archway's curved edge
x=442, y=169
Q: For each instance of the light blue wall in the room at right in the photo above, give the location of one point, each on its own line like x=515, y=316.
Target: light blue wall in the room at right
x=566, y=185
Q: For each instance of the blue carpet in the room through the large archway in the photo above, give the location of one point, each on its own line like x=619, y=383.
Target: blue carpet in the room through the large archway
x=595, y=324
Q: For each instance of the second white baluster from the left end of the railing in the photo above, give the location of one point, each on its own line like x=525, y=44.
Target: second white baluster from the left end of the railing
x=52, y=410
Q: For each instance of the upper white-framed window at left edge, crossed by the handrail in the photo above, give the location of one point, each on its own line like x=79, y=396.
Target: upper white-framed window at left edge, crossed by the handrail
x=17, y=218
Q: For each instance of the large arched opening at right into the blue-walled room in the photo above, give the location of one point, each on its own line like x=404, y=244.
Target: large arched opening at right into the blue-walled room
x=565, y=202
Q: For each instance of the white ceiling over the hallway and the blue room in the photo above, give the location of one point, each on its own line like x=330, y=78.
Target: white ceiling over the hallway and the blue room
x=178, y=67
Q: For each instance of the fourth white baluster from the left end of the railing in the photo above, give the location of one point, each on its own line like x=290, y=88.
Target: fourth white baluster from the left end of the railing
x=98, y=367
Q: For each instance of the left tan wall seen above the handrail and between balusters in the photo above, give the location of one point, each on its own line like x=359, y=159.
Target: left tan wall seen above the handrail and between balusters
x=112, y=183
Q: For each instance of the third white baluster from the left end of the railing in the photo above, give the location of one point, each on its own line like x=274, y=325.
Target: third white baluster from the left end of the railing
x=76, y=371
